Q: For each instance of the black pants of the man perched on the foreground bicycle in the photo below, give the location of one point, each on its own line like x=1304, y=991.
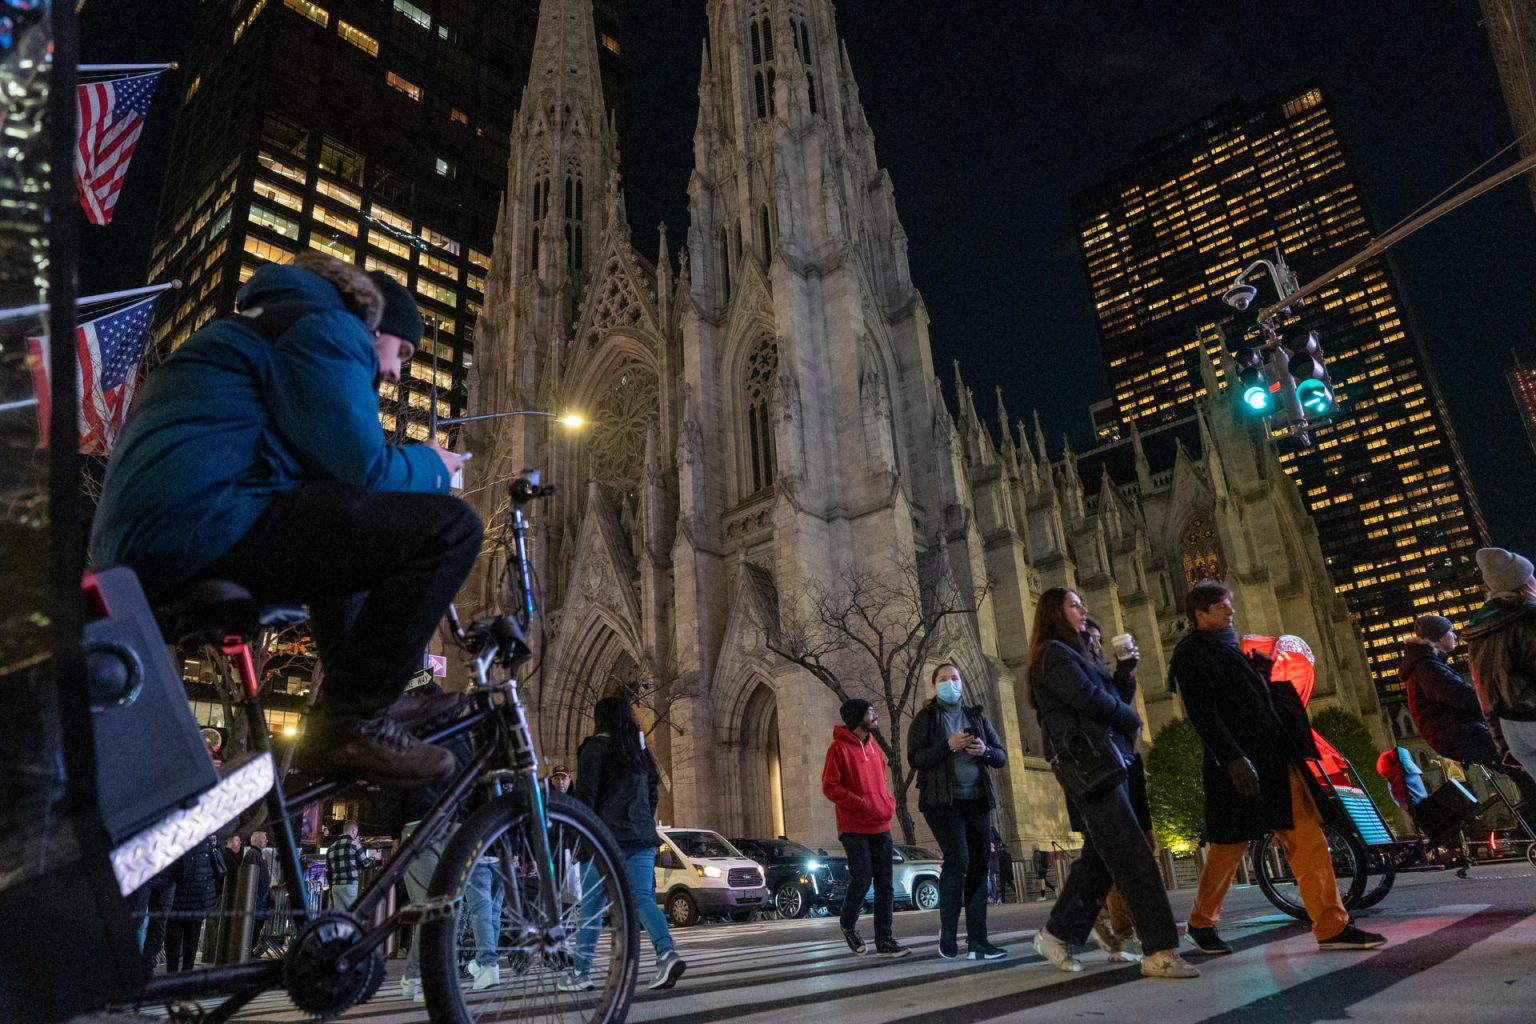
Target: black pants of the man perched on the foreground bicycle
x=377, y=572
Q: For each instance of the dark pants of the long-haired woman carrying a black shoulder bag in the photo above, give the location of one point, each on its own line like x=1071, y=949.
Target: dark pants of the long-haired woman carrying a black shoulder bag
x=1116, y=853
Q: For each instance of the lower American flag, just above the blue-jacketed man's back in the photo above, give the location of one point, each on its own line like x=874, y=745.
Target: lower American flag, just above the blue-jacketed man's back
x=108, y=351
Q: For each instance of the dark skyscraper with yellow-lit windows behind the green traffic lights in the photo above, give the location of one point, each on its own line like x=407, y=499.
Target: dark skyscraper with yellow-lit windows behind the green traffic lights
x=1162, y=240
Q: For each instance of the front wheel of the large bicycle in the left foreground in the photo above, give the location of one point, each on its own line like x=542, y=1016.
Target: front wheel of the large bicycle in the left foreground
x=497, y=959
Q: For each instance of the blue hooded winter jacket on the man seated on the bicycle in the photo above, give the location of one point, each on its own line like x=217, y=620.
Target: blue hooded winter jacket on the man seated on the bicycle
x=231, y=420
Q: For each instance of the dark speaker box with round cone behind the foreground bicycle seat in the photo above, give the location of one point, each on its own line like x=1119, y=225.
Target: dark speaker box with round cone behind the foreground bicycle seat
x=150, y=755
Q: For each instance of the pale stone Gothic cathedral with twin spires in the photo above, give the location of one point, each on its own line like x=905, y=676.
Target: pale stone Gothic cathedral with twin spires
x=766, y=414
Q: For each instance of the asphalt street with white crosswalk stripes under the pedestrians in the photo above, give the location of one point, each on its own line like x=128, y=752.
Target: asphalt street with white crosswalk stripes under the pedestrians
x=1460, y=953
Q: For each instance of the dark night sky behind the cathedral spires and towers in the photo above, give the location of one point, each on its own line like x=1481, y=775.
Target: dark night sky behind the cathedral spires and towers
x=990, y=116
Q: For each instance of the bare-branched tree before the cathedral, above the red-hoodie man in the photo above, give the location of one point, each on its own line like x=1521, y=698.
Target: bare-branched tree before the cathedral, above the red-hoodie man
x=872, y=633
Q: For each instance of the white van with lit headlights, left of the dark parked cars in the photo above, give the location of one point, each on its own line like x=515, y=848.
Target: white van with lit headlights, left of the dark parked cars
x=700, y=874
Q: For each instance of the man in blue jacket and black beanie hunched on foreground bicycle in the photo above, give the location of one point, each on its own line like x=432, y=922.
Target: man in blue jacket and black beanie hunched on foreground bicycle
x=256, y=455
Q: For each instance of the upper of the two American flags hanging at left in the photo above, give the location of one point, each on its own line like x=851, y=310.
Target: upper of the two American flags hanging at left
x=111, y=117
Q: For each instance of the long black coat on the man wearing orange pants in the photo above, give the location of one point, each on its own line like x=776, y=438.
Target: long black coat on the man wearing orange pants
x=1239, y=713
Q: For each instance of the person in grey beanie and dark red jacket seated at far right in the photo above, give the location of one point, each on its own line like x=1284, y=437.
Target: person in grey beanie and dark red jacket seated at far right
x=1446, y=709
